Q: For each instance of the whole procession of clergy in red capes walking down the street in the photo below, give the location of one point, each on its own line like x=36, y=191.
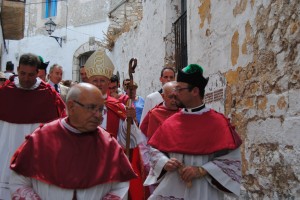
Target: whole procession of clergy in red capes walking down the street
x=76, y=147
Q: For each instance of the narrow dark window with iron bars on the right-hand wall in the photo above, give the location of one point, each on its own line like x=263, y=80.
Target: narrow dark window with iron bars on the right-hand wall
x=180, y=30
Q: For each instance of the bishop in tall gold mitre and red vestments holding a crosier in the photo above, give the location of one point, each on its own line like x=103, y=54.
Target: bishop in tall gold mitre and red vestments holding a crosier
x=99, y=69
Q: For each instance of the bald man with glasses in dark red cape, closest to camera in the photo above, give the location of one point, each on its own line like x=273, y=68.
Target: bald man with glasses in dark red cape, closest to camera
x=73, y=157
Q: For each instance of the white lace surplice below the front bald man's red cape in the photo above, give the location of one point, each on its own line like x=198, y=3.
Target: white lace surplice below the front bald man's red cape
x=28, y=187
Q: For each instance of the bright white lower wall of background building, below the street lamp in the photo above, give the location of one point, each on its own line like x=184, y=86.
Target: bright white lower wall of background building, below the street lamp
x=50, y=50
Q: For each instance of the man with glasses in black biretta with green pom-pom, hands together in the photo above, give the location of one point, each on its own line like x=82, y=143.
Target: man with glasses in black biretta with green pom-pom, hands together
x=201, y=155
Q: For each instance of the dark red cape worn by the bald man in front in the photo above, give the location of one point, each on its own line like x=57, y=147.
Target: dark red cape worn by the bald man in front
x=54, y=155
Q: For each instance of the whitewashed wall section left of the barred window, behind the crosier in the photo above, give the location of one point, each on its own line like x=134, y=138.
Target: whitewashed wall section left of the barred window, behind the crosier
x=146, y=43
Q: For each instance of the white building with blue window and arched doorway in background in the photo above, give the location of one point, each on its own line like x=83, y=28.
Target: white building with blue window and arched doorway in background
x=81, y=25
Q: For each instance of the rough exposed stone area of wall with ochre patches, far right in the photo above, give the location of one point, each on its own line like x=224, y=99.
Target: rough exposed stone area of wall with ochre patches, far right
x=262, y=101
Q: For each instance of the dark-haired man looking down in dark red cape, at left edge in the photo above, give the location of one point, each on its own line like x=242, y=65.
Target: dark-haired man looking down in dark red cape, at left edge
x=26, y=101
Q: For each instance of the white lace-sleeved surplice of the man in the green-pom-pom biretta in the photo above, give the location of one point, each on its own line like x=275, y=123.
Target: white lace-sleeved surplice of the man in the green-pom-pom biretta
x=226, y=170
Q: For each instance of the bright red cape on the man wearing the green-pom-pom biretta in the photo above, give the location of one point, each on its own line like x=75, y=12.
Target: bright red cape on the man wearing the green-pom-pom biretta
x=195, y=134
